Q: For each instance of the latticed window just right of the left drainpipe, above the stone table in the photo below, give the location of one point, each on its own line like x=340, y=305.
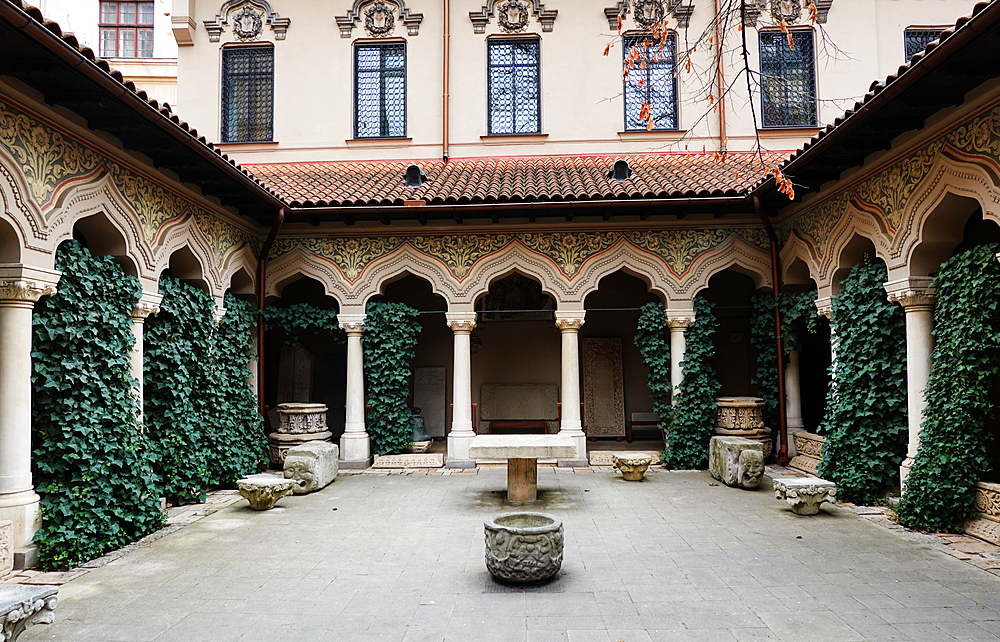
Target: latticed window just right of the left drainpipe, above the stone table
x=514, y=86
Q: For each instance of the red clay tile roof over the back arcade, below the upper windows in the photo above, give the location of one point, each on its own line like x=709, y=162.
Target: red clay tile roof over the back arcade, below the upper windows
x=515, y=179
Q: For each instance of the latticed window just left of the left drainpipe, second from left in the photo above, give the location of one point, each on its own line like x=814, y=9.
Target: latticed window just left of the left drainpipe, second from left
x=380, y=90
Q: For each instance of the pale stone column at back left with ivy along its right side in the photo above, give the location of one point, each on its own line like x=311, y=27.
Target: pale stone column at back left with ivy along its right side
x=355, y=447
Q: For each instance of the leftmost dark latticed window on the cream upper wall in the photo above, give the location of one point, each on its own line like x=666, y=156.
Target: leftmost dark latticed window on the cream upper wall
x=247, y=94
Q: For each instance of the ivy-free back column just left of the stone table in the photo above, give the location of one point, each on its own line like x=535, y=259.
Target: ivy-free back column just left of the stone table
x=461, y=433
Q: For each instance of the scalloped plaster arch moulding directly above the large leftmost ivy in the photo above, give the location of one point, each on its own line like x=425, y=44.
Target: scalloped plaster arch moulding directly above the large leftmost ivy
x=102, y=198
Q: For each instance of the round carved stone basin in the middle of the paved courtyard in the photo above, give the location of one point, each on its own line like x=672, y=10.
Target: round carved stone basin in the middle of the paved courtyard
x=523, y=547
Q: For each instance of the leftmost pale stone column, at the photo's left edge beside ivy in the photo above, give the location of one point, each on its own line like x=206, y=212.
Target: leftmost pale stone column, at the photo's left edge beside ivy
x=20, y=288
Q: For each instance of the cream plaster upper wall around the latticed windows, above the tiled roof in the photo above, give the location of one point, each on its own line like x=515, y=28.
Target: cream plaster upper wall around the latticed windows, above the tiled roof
x=582, y=110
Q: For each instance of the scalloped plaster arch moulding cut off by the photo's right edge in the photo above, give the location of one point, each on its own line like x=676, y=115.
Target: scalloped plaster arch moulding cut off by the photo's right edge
x=947, y=179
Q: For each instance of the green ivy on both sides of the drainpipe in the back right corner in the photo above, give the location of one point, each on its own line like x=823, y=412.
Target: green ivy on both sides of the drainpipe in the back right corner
x=798, y=315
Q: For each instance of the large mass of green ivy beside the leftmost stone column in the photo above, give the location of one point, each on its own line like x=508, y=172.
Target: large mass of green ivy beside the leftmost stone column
x=92, y=464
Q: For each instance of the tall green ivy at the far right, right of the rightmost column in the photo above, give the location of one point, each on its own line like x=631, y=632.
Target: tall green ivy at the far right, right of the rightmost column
x=952, y=455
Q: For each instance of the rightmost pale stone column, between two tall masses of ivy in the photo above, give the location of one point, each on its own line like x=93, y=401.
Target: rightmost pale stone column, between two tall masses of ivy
x=918, y=299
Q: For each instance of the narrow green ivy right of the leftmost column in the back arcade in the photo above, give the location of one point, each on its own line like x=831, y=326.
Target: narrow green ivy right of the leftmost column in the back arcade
x=390, y=338
